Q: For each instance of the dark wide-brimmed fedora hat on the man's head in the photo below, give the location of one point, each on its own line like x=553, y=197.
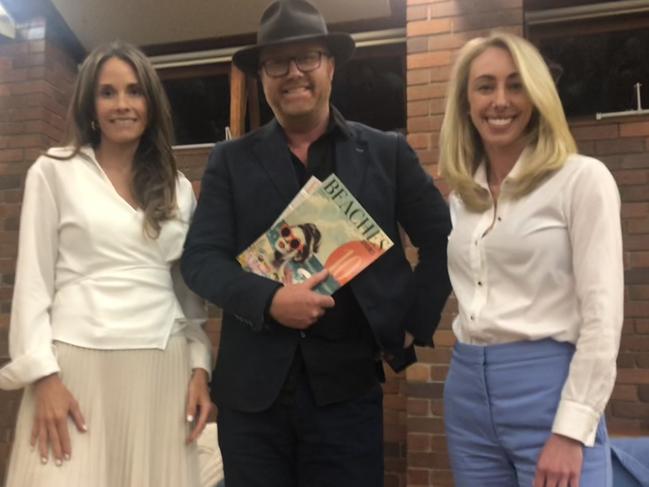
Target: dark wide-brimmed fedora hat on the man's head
x=289, y=21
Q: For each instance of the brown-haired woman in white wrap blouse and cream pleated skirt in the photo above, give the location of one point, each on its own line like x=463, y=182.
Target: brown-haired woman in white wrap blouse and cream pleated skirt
x=105, y=337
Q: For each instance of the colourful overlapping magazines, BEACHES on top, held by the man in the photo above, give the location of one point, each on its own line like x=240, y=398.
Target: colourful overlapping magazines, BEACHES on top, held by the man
x=324, y=227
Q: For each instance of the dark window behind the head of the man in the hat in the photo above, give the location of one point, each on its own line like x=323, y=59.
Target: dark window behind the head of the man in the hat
x=370, y=89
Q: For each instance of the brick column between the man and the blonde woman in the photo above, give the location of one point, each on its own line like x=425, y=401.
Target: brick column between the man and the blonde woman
x=436, y=29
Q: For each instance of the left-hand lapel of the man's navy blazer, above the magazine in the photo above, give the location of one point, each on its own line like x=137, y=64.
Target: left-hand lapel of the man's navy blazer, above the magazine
x=272, y=154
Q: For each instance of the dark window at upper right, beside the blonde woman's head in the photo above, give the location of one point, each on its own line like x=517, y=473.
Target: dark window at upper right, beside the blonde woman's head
x=597, y=49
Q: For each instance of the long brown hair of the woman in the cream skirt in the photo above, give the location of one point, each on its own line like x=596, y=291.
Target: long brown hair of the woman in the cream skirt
x=154, y=165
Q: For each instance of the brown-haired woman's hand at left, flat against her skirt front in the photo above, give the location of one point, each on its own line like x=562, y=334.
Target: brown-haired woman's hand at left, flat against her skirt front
x=54, y=403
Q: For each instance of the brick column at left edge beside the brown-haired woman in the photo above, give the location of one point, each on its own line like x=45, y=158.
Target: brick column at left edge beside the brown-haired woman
x=36, y=78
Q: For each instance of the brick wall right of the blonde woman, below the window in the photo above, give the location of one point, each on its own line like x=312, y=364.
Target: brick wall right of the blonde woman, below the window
x=623, y=144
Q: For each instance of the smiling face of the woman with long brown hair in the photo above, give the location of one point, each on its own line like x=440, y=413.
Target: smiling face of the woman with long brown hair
x=120, y=104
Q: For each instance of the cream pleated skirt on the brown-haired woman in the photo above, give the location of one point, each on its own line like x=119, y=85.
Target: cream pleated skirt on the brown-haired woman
x=134, y=405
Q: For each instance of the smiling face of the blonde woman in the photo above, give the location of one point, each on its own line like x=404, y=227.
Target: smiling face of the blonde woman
x=499, y=106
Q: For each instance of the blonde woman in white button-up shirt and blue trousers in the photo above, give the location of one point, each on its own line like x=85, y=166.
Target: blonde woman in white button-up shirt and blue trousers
x=535, y=259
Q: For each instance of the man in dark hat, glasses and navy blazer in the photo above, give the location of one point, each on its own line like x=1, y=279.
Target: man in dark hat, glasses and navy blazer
x=297, y=380
